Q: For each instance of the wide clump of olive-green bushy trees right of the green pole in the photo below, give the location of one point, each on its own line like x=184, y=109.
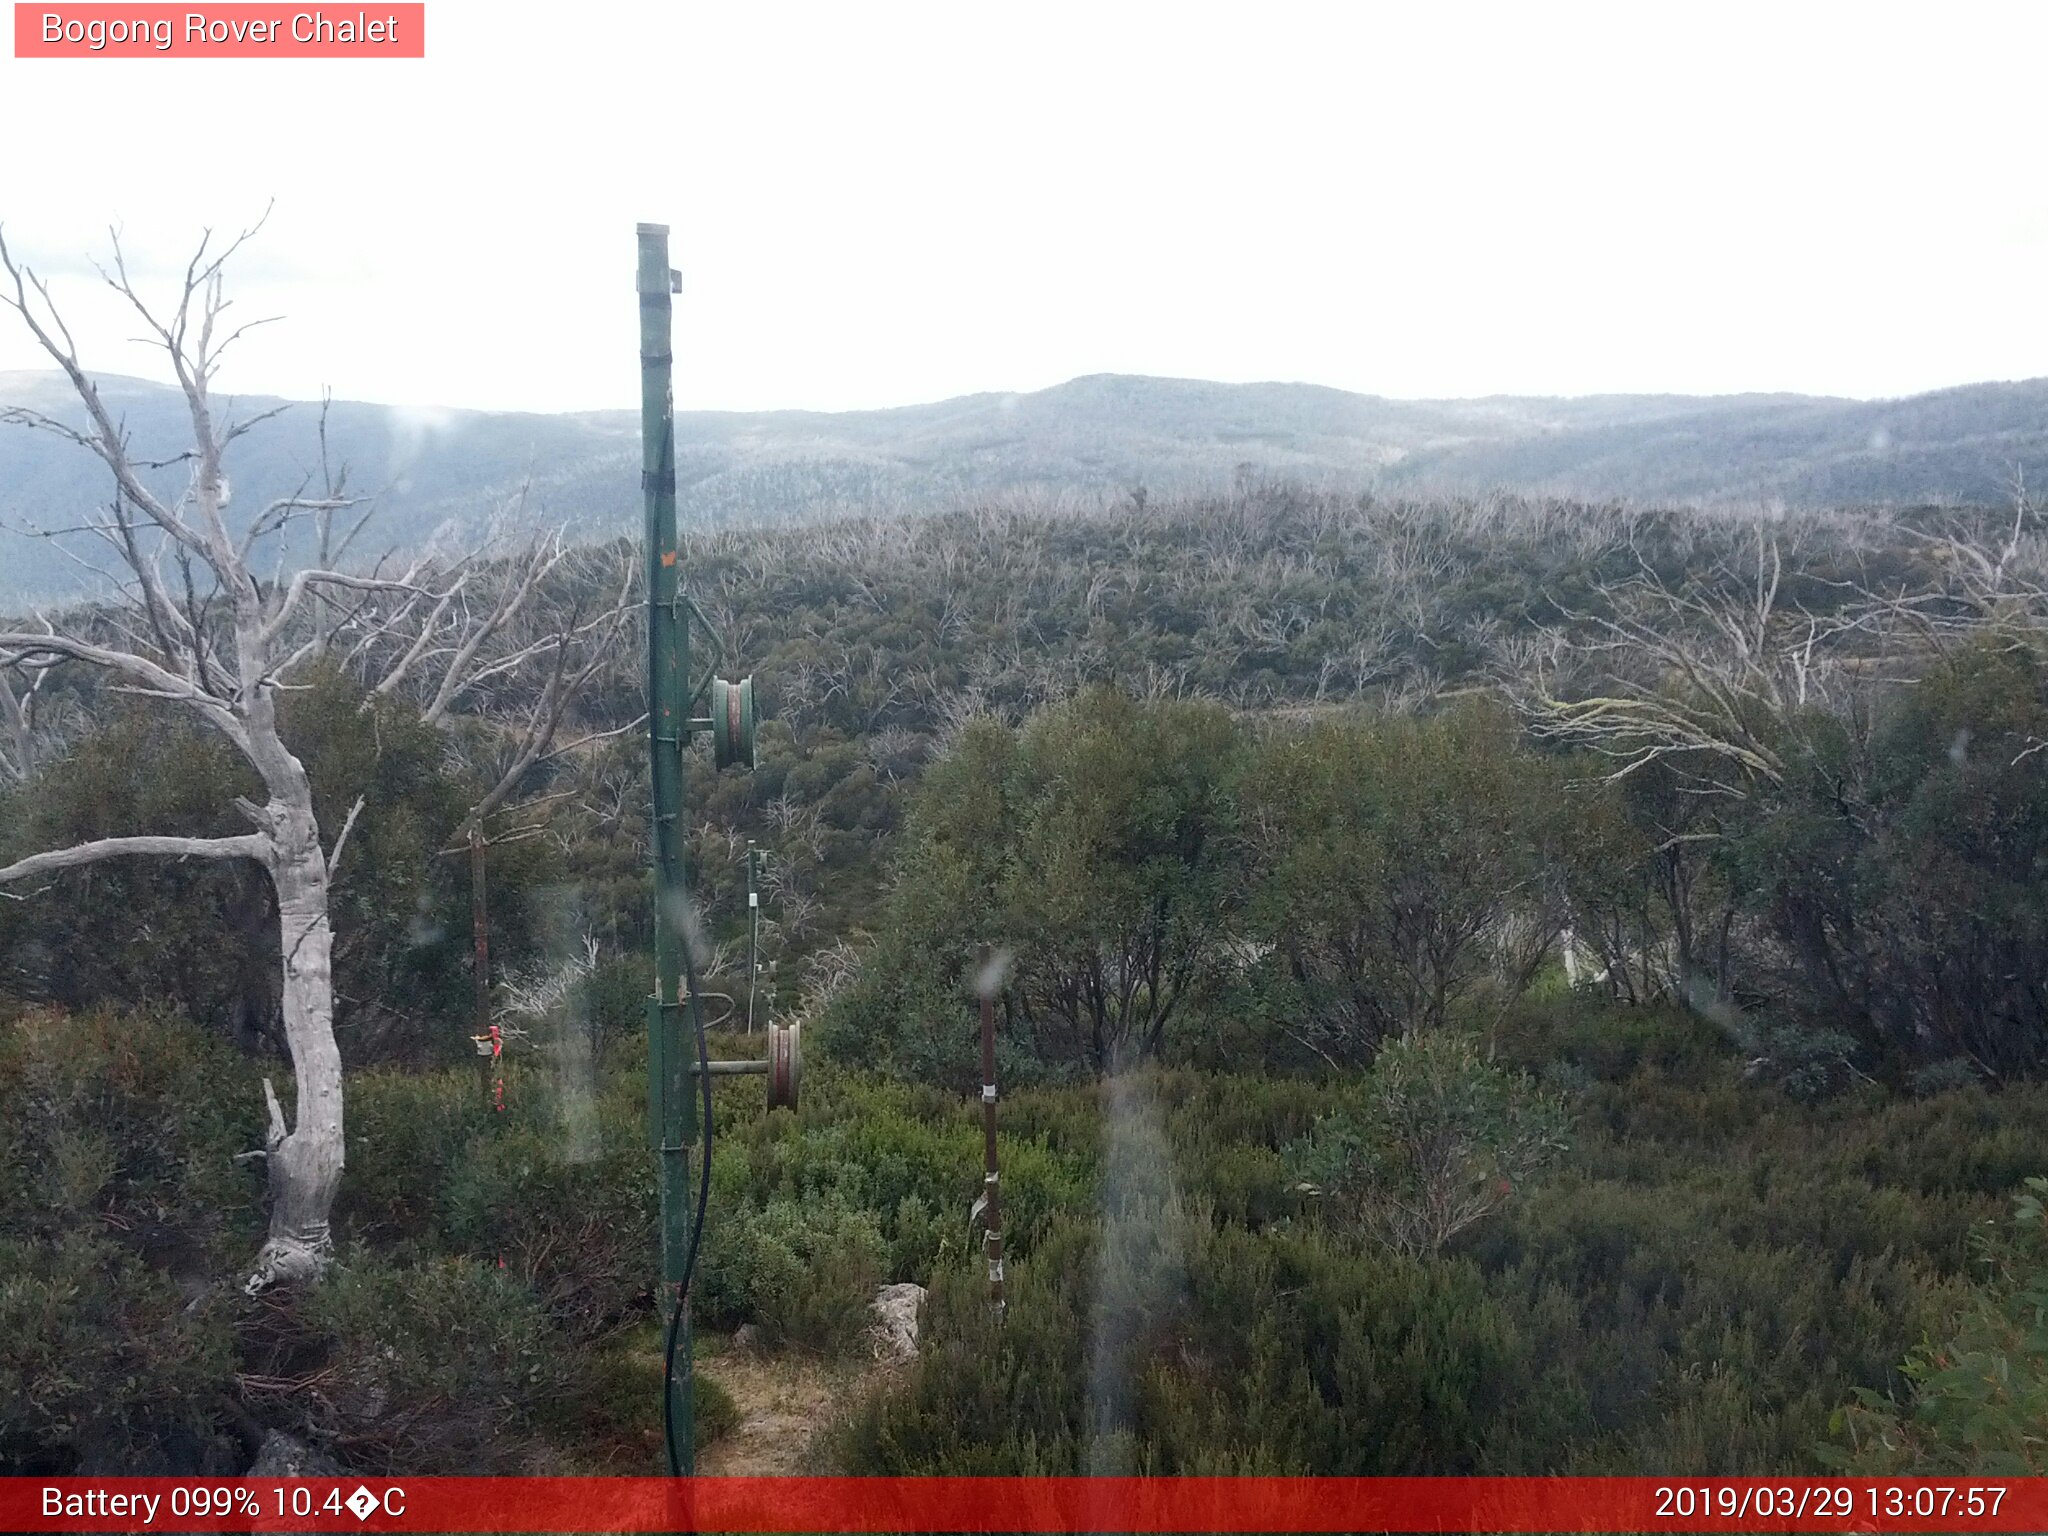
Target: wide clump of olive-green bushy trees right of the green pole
x=1152, y=865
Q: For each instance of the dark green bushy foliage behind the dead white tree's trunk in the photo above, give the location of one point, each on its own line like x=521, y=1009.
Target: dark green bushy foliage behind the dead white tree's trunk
x=202, y=935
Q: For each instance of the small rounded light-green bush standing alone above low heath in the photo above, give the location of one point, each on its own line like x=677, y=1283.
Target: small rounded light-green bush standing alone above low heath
x=1445, y=1142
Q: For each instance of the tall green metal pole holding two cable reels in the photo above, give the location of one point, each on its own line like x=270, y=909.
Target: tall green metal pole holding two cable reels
x=671, y=1103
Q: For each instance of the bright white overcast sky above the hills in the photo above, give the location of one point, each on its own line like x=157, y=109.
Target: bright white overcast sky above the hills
x=884, y=204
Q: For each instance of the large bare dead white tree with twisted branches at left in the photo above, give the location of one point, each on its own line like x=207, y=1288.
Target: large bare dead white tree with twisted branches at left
x=200, y=632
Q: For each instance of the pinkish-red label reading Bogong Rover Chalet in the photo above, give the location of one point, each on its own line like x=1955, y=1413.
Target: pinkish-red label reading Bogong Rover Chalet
x=220, y=32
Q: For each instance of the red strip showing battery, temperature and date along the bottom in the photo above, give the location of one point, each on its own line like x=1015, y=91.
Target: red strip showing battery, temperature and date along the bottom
x=1025, y=1504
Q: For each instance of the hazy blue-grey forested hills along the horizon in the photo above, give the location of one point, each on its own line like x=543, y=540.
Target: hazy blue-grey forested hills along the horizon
x=1095, y=439
